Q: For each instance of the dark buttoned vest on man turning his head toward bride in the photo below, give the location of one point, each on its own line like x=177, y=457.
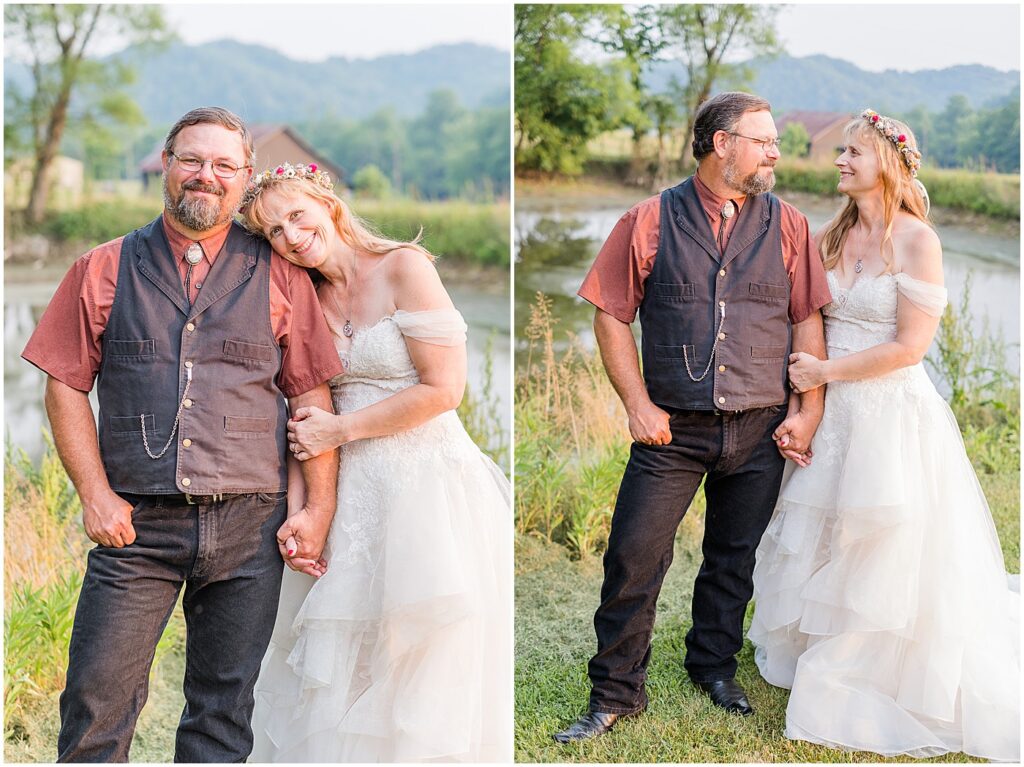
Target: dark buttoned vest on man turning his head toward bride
x=690, y=289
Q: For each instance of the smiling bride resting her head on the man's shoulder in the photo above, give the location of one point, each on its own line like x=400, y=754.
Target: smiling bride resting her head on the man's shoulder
x=400, y=649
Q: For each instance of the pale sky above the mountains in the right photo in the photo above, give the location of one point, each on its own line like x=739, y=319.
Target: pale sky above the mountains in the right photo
x=905, y=37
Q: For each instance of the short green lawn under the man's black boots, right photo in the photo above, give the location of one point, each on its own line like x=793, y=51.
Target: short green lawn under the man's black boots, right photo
x=556, y=603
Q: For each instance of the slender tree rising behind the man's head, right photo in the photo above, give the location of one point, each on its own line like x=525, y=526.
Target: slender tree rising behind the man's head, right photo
x=702, y=36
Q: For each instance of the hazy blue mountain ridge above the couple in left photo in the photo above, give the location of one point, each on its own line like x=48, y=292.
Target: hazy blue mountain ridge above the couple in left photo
x=264, y=86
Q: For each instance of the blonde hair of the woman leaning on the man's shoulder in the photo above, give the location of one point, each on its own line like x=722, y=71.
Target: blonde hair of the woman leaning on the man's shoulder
x=353, y=231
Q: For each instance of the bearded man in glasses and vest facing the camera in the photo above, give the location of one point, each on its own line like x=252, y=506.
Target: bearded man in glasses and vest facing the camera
x=197, y=335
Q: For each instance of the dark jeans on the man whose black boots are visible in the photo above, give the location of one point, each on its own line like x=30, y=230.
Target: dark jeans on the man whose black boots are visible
x=744, y=473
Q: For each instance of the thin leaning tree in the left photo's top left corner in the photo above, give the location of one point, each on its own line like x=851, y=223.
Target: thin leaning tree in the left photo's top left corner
x=55, y=41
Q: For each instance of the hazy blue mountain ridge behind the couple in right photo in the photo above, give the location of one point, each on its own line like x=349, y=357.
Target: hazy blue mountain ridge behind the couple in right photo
x=827, y=84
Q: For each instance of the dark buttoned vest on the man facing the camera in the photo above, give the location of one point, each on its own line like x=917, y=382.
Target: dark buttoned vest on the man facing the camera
x=232, y=422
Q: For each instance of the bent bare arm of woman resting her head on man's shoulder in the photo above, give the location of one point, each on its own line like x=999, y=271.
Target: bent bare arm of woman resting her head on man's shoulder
x=442, y=371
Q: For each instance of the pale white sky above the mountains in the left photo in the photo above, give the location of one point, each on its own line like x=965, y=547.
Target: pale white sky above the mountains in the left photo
x=355, y=31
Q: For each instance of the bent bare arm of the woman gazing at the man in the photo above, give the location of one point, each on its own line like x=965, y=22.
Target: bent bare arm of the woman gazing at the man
x=922, y=260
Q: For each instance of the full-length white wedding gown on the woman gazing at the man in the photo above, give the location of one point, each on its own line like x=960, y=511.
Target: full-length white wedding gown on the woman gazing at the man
x=882, y=596
